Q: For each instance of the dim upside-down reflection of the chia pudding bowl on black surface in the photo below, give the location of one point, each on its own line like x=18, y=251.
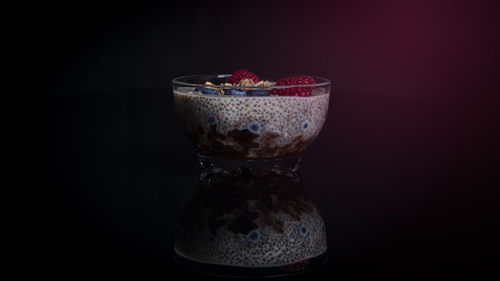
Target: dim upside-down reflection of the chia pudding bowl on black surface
x=252, y=222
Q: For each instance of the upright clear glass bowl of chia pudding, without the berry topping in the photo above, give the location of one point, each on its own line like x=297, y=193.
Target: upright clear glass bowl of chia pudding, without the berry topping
x=249, y=127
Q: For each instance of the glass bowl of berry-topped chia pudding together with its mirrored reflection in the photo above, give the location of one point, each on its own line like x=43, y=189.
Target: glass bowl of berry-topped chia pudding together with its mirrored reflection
x=250, y=133
